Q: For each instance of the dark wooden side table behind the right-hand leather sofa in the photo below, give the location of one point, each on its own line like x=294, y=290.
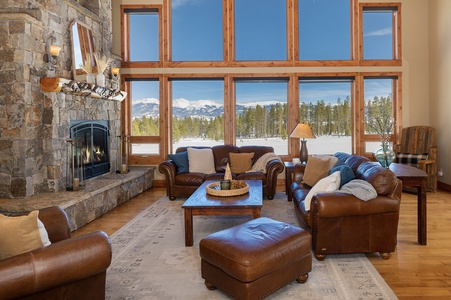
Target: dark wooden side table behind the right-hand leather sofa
x=416, y=178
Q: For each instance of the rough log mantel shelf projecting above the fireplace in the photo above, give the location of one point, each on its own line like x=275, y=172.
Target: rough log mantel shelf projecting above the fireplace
x=80, y=88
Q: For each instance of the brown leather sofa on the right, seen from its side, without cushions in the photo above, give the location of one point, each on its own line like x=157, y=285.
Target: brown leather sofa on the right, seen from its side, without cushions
x=342, y=223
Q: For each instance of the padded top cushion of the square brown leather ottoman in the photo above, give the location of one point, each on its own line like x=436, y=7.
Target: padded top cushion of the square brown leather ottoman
x=256, y=248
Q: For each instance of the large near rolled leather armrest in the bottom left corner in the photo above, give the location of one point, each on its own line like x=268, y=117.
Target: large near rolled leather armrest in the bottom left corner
x=64, y=262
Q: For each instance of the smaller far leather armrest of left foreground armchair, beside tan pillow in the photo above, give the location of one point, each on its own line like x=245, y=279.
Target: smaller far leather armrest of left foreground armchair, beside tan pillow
x=56, y=223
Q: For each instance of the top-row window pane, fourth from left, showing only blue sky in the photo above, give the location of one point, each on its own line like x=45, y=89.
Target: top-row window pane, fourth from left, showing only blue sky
x=325, y=30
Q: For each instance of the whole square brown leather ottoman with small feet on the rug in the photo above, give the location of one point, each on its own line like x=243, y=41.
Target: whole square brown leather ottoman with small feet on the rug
x=254, y=259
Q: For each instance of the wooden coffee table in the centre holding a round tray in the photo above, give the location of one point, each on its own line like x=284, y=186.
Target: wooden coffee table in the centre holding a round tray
x=202, y=204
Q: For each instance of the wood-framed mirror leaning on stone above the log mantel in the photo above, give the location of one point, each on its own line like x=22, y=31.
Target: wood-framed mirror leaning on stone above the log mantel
x=82, y=45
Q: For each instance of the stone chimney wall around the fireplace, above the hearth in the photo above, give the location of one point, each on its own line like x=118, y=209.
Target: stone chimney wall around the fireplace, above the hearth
x=34, y=126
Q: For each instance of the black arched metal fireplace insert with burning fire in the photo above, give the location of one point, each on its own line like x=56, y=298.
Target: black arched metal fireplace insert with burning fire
x=93, y=136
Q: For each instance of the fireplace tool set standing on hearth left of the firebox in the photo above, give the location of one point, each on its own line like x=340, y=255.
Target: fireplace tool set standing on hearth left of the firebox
x=75, y=172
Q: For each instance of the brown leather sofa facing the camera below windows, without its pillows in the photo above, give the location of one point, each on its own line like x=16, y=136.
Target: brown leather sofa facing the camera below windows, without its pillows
x=185, y=184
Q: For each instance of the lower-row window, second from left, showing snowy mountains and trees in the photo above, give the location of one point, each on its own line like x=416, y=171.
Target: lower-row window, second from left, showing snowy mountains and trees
x=197, y=112
